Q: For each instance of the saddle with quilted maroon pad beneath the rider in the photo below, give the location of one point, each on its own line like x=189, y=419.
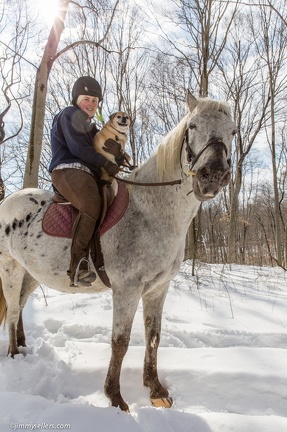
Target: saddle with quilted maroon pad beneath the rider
x=60, y=215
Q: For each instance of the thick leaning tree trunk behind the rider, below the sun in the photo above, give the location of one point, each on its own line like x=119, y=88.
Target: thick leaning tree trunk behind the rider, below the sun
x=40, y=93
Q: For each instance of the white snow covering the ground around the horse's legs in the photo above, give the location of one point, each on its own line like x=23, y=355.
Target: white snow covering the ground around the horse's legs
x=222, y=356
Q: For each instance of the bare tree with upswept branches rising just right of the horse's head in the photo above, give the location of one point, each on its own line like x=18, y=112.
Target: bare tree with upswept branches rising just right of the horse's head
x=244, y=84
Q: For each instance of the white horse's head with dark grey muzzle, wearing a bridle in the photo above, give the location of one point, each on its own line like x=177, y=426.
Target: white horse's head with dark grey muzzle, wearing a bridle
x=208, y=138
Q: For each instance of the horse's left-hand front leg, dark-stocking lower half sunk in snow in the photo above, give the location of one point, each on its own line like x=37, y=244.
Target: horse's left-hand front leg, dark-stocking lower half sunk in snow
x=124, y=307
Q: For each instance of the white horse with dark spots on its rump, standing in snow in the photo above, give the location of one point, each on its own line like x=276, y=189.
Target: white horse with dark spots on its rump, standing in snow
x=142, y=252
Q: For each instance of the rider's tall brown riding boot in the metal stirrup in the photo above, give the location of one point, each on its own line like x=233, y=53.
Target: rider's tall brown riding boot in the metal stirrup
x=79, y=272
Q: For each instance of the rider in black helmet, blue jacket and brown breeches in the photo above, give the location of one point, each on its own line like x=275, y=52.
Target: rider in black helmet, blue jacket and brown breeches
x=75, y=170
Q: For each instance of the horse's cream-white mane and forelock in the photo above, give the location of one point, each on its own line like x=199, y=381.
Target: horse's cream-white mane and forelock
x=168, y=152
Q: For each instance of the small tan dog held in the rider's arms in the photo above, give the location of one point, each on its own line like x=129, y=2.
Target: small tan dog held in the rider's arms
x=116, y=128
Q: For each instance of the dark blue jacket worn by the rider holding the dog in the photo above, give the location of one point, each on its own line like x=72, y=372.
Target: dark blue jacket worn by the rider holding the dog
x=72, y=140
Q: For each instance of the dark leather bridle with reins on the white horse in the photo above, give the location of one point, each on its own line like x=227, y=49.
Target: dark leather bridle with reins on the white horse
x=190, y=158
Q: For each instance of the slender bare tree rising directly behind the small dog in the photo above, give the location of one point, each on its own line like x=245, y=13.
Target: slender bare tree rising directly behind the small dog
x=128, y=69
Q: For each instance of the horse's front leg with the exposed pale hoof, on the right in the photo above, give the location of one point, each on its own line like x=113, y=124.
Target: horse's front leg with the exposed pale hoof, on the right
x=152, y=307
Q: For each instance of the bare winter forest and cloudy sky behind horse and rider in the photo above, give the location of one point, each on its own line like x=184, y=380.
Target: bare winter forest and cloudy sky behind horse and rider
x=146, y=54
